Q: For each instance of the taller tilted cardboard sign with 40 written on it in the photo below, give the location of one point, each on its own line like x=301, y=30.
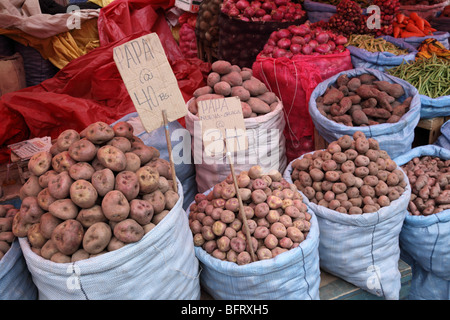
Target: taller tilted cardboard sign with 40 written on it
x=149, y=80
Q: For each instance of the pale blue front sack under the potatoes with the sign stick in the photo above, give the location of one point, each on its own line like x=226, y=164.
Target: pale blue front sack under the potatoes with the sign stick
x=292, y=275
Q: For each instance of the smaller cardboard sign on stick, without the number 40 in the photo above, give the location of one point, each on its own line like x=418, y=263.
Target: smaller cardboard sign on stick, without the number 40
x=223, y=126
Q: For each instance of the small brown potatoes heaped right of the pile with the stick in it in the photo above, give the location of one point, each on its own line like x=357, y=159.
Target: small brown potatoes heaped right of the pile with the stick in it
x=352, y=175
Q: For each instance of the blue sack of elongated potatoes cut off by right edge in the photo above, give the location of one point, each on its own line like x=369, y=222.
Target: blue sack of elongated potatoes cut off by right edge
x=424, y=241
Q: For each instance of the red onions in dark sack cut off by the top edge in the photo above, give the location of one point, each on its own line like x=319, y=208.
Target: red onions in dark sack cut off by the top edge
x=263, y=10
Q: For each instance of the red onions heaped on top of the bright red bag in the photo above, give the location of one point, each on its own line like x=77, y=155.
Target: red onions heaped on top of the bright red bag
x=303, y=40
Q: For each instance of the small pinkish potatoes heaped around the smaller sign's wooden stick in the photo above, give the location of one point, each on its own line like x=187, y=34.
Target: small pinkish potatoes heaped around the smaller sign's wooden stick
x=276, y=216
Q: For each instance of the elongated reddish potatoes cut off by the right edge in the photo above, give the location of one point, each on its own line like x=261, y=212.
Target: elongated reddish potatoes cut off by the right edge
x=430, y=184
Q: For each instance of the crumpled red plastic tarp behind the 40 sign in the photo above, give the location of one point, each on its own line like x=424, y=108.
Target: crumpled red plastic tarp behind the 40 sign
x=90, y=88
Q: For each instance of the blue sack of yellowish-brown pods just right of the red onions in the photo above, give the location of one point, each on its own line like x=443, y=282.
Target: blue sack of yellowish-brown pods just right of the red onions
x=366, y=51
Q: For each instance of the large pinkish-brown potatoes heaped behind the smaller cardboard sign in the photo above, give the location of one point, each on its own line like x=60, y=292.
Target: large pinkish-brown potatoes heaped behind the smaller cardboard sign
x=227, y=80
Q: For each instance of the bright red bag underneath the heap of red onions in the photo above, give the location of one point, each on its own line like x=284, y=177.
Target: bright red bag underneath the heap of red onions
x=293, y=81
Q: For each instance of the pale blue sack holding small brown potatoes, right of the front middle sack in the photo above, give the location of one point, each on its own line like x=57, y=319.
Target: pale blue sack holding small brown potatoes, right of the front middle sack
x=362, y=249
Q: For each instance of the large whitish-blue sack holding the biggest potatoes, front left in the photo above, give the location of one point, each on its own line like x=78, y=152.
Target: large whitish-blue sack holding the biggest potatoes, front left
x=162, y=265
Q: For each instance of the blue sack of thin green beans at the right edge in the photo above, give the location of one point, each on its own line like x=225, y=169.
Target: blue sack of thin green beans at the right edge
x=431, y=77
